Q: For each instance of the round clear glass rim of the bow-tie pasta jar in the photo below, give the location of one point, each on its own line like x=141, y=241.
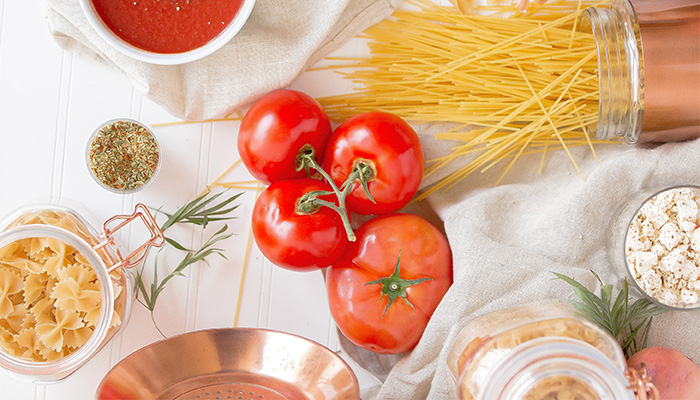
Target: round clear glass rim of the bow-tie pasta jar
x=47, y=371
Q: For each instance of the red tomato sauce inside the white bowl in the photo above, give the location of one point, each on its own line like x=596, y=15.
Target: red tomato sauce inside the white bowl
x=167, y=26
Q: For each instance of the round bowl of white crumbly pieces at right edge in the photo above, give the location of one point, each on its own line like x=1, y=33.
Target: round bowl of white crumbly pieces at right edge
x=660, y=245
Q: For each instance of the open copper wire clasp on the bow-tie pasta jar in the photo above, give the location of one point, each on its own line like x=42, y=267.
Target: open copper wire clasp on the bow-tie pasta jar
x=157, y=238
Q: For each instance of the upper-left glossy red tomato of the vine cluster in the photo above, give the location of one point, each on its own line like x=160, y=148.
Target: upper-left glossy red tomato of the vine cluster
x=274, y=130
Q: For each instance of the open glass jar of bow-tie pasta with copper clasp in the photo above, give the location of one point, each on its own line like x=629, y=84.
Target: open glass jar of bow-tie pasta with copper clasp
x=65, y=291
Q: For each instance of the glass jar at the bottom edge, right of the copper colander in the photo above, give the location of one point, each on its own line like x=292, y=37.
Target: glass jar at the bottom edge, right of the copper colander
x=537, y=351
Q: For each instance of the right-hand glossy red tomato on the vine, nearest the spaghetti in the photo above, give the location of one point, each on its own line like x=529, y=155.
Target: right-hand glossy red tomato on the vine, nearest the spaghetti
x=393, y=149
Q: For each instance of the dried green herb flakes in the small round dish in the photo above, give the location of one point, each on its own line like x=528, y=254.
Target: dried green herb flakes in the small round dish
x=123, y=155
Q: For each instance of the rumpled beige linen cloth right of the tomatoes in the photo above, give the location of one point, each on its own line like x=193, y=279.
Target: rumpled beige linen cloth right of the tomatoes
x=507, y=239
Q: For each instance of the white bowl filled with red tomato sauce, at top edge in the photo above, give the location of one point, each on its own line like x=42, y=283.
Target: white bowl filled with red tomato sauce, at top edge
x=167, y=32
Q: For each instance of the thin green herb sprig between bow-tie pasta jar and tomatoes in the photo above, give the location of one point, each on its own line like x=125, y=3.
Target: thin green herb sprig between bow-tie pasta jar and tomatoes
x=199, y=211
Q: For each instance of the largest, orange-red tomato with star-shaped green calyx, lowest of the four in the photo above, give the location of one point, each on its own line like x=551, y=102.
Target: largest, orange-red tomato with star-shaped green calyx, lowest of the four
x=361, y=306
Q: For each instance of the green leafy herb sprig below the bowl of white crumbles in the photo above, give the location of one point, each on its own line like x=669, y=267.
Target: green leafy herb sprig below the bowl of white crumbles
x=628, y=323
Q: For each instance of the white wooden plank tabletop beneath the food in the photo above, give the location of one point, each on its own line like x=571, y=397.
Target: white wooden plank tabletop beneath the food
x=50, y=102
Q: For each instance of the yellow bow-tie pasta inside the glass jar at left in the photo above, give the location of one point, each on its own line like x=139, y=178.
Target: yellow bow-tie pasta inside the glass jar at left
x=50, y=296
